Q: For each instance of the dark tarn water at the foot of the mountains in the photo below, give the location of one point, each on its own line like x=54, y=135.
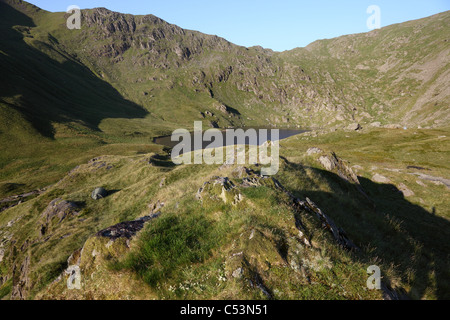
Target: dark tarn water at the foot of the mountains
x=283, y=134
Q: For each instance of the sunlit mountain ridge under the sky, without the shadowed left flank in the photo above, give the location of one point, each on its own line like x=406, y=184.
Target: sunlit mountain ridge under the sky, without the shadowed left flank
x=308, y=86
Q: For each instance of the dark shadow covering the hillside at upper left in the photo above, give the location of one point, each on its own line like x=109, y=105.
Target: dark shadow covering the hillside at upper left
x=52, y=91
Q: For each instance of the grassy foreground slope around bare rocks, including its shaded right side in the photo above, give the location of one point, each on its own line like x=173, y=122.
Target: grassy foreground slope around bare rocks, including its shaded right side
x=406, y=237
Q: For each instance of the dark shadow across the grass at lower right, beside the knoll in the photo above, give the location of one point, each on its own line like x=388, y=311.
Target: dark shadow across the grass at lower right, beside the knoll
x=404, y=235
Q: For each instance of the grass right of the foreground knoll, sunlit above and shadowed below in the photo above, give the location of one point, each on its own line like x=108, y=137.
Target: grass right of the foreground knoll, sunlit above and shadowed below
x=420, y=221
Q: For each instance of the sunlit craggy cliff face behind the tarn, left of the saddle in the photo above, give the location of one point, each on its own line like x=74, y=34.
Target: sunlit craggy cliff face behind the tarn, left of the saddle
x=254, y=81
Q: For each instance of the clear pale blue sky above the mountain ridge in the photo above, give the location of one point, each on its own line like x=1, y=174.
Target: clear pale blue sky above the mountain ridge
x=278, y=25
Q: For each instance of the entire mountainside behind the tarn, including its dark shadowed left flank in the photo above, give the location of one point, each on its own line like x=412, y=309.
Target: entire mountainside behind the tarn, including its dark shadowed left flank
x=122, y=66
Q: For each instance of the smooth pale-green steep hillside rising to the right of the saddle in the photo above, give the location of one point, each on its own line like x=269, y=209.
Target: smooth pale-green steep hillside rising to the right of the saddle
x=400, y=73
